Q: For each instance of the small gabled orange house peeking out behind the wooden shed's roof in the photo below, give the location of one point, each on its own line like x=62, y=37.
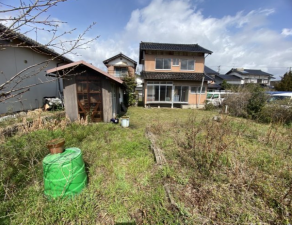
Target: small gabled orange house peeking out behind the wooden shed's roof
x=120, y=66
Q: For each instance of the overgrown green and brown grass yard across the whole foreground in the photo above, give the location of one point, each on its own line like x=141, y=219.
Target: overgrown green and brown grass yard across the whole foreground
x=234, y=171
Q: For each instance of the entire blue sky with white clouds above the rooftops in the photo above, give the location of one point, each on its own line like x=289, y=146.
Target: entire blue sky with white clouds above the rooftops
x=254, y=34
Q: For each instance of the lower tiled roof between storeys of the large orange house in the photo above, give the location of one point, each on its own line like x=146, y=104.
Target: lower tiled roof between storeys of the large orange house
x=174, y=76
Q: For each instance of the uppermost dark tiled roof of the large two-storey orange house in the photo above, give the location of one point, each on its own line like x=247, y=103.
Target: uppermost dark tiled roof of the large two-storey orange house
x=171, y=47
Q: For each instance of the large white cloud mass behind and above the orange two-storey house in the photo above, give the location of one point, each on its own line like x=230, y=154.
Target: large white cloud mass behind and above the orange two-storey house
x=238, y=40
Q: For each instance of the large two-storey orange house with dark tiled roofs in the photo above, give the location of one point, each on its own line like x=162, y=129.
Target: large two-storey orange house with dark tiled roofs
x=173, y=74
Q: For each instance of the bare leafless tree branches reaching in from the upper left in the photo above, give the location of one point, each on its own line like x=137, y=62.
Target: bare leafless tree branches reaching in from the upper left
x=27, y=18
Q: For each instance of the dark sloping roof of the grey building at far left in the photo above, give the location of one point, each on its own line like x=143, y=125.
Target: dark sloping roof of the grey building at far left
x=7, y=35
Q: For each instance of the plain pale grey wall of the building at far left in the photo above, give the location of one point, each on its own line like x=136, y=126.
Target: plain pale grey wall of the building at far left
x=14, y=60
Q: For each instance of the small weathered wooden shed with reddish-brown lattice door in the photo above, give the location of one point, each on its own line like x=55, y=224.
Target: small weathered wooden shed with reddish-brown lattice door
x=88, y=91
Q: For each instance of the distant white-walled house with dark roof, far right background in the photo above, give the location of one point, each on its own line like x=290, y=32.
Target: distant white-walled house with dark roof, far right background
x=251, y=76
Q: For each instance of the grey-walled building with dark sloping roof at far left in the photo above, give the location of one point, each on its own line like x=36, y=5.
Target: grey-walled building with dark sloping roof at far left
x=18, y=52
